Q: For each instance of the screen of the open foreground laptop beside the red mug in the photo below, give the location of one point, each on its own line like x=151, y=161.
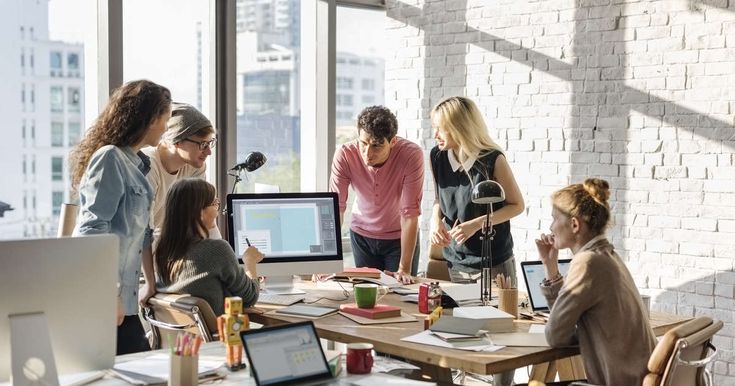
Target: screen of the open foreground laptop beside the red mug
x=287, y=354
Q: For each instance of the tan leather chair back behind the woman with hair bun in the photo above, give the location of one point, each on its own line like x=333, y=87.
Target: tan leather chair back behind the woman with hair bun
x=681, y=356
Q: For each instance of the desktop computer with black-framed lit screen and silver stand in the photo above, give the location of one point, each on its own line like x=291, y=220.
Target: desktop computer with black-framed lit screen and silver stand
x=299, y=233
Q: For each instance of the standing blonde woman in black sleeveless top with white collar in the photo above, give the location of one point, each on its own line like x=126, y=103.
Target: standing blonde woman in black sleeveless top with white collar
x=465, y=155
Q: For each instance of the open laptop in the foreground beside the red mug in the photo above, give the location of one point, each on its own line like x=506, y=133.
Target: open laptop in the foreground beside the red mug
x=287, y=354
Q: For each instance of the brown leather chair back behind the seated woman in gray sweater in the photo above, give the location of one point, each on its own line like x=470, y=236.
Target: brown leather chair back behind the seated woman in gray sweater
x=170, y=313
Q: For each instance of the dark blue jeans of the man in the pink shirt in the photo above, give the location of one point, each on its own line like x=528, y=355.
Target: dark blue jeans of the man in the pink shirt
x=380, y=254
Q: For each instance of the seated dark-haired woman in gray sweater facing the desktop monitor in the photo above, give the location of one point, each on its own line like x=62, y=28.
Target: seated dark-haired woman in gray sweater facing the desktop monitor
x=188, y=261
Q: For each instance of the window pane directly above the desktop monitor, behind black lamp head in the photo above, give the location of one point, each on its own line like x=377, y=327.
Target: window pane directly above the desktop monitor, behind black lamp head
x=268, y=91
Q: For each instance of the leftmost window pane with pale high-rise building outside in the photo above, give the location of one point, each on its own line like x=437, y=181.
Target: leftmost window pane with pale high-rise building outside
x=49, y=33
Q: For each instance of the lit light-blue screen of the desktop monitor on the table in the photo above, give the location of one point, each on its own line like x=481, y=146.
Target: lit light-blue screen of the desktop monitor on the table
x=285, y=227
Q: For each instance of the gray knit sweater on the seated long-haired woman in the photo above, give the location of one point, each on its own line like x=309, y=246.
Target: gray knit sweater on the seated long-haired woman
x=211, y=272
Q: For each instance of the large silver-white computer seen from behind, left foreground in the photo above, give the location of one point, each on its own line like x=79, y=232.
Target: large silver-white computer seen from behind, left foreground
x=58, y=309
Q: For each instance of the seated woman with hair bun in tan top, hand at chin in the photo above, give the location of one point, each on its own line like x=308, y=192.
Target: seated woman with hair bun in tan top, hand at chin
x=597, y=304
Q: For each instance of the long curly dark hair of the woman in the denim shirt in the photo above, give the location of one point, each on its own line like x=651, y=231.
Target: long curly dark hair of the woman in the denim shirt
x=124, y=121
